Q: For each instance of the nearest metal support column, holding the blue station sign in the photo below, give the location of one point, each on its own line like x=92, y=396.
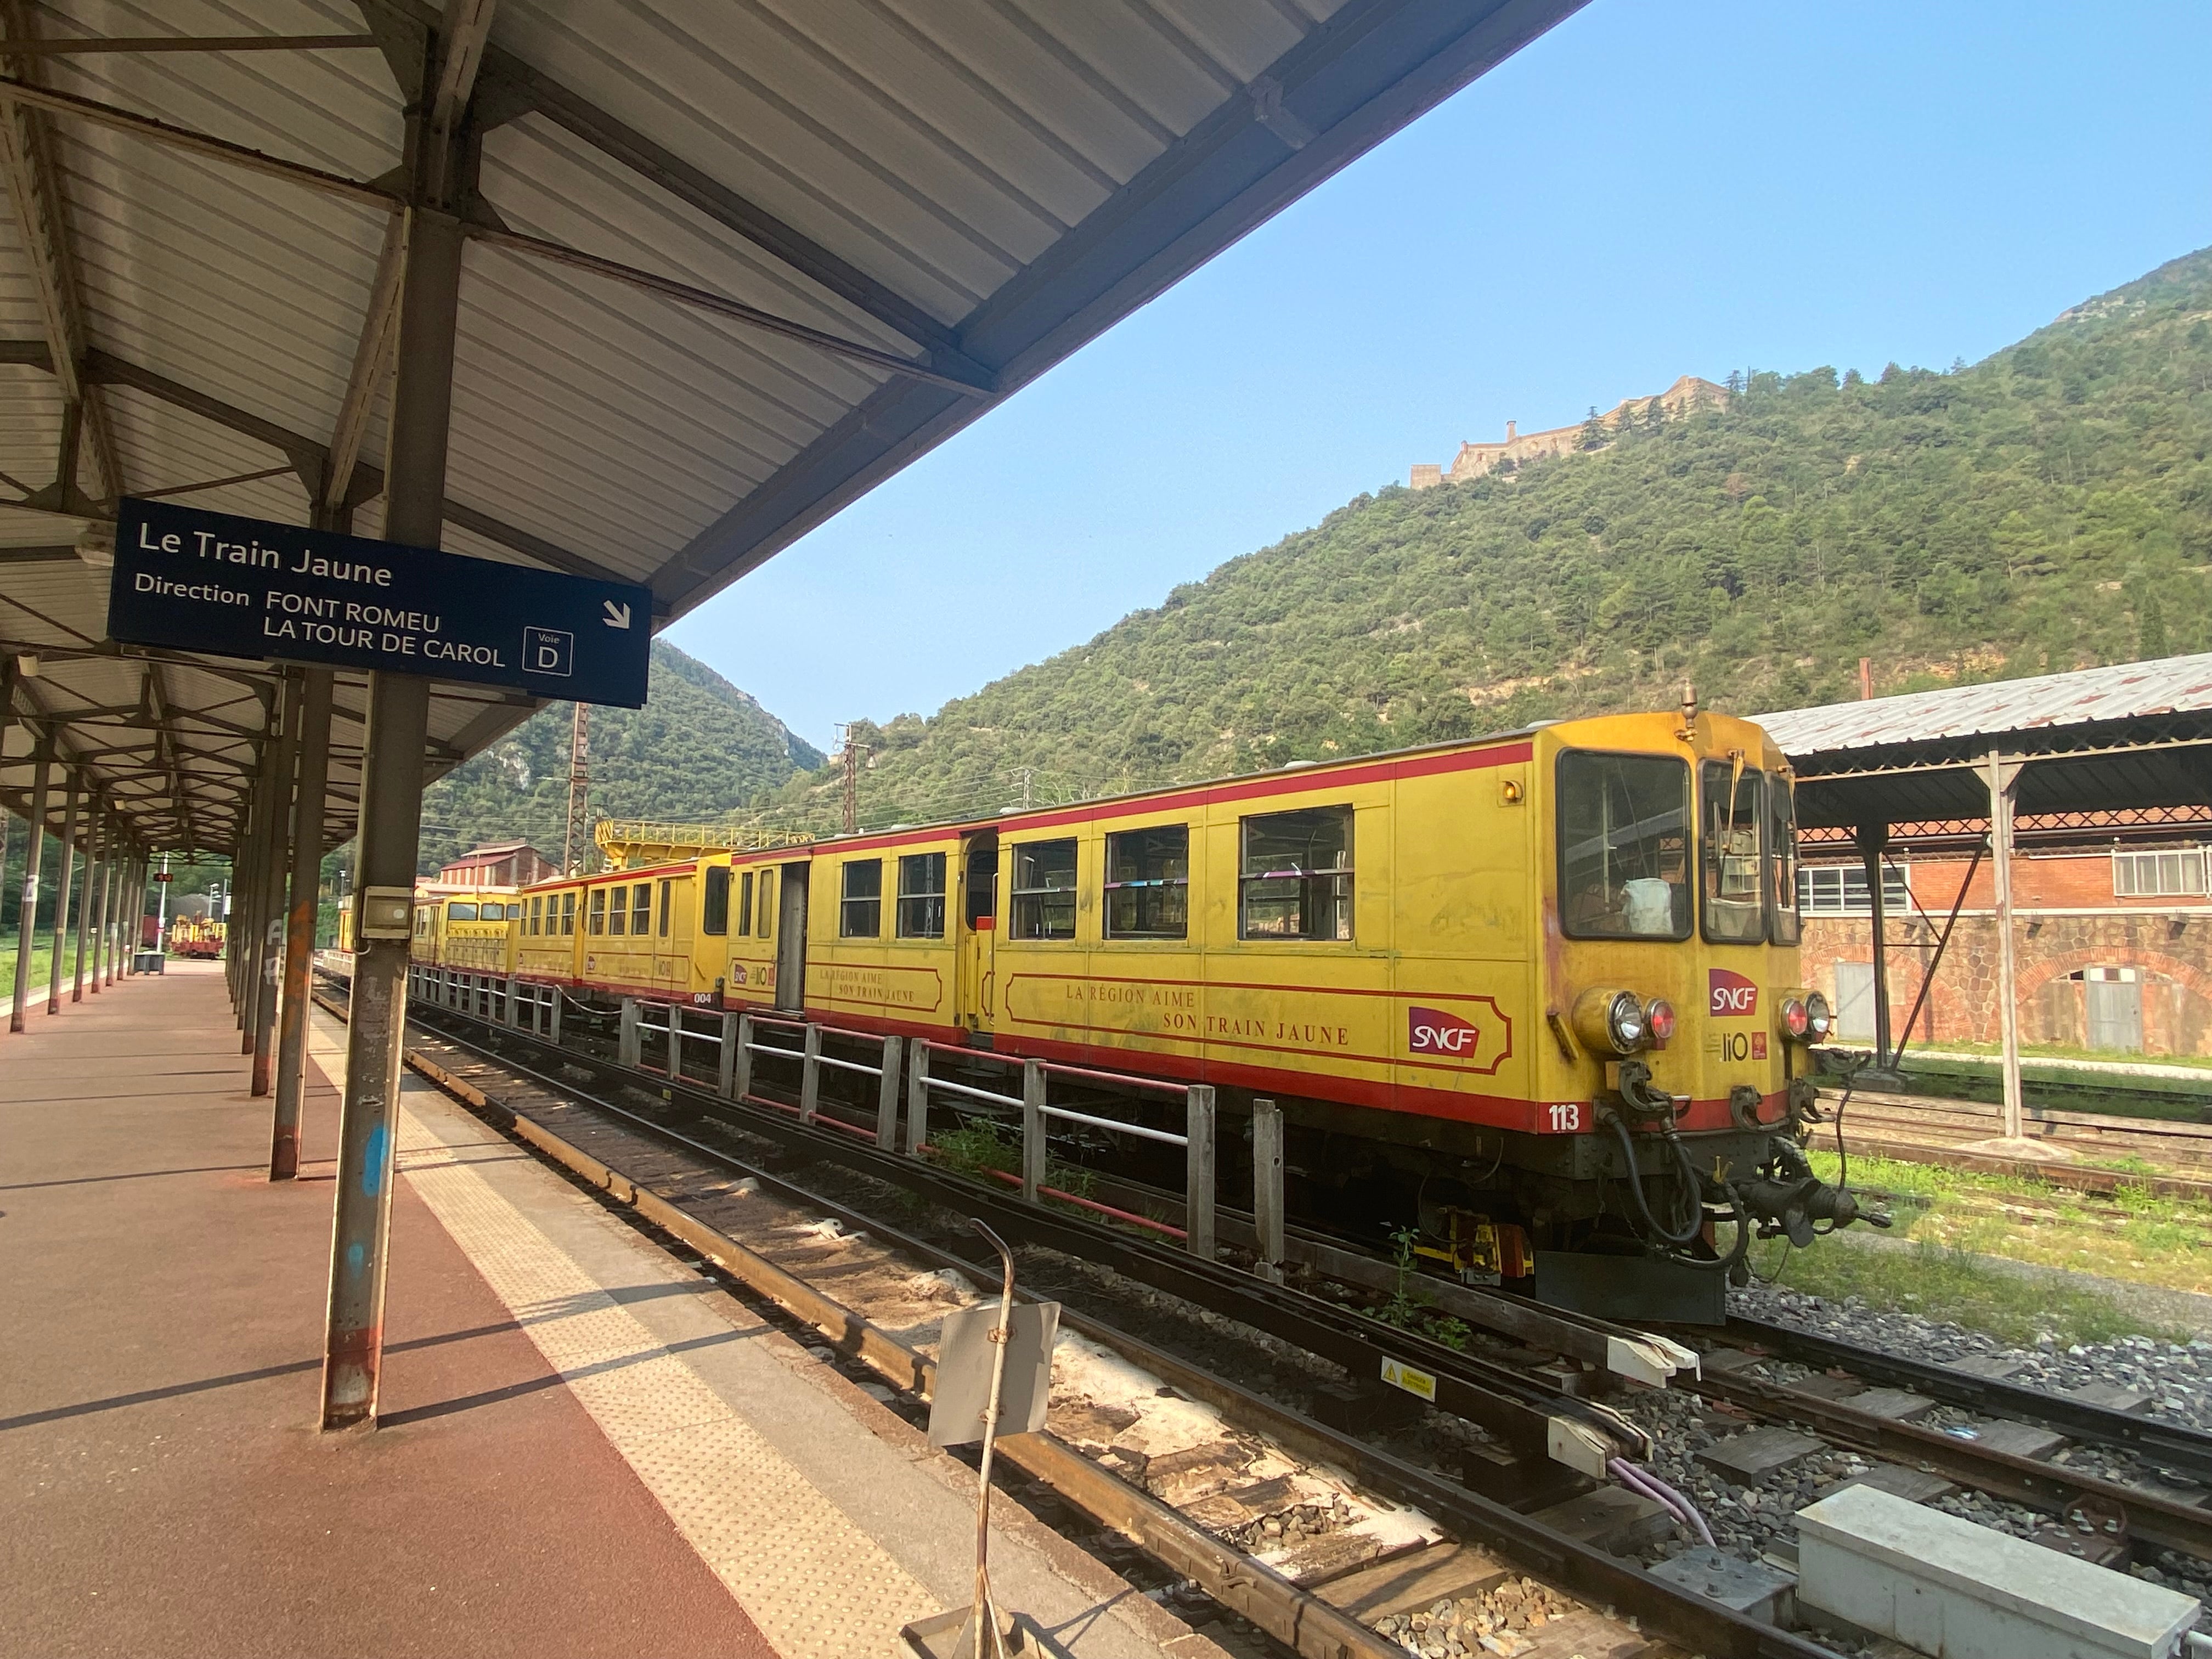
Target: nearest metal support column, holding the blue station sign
x=390, y=842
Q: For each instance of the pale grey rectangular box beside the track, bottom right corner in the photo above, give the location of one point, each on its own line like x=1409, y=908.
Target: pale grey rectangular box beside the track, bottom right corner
x=1943, y=1585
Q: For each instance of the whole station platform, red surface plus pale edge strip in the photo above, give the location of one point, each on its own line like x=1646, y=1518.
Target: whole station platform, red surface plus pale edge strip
x=585, y=1448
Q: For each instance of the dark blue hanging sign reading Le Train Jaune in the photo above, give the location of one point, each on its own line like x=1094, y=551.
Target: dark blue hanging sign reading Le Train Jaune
x=244, y=587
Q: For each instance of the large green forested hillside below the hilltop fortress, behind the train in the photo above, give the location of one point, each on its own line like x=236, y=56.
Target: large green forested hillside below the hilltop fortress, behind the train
x=2045, y=510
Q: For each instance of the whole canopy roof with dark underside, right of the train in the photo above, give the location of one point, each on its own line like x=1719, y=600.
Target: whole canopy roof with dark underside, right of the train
x=2103, y=747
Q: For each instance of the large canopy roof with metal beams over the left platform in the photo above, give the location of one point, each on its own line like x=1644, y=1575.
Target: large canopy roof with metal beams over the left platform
x=731, y=267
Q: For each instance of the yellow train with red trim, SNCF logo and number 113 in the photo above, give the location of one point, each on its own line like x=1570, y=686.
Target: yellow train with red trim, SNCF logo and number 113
x=1538, y=988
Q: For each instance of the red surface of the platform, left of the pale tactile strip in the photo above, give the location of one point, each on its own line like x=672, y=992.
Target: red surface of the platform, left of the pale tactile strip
x=163, y=1481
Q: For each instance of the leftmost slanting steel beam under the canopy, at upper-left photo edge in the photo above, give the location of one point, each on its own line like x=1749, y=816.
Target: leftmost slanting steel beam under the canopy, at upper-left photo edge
x=43, y=225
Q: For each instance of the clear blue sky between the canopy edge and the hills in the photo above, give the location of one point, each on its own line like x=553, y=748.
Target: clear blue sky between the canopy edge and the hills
x=1653, y=189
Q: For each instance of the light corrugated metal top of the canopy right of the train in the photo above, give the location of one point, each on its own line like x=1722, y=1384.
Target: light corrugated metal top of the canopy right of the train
x=1999, y=709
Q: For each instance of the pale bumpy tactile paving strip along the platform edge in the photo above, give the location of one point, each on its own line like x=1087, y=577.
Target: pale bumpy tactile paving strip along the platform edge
x=808, y=1576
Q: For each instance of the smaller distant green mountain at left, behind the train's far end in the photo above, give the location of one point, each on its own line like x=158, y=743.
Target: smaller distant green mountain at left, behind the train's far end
x=698, y=751
